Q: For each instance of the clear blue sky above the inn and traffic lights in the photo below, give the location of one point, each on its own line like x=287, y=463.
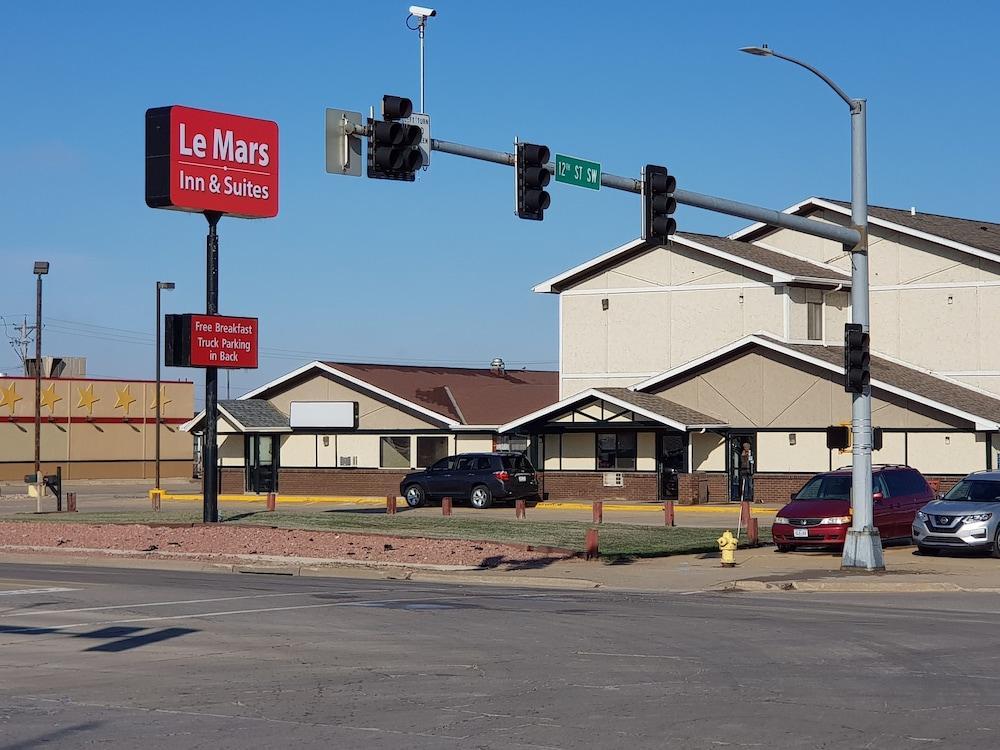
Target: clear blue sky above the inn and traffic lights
x=440, y=271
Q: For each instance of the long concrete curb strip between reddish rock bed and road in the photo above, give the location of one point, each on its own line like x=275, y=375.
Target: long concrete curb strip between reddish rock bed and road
x=323, y=568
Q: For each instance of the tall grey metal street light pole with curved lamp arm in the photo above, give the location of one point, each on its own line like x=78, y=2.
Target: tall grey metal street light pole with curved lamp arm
x=863, y=548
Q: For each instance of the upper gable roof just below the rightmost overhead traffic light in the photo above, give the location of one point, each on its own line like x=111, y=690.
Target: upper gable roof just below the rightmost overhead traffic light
x=781, y=267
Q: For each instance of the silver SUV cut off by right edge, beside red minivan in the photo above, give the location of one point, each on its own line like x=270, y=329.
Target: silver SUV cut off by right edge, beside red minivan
x=968, y=517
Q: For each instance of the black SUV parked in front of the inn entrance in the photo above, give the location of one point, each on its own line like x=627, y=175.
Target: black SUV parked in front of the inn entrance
x=480, y=477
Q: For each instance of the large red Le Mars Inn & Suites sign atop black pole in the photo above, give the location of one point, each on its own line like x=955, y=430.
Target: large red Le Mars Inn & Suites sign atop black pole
x=197, y=160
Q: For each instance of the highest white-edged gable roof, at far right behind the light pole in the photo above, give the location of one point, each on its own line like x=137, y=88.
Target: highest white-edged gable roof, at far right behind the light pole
x=981, y=238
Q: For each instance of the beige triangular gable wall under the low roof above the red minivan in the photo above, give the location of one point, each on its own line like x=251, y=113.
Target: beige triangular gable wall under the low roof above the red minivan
x=763, y=391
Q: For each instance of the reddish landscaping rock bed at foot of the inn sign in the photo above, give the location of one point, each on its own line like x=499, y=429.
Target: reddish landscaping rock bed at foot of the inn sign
x=245, y=540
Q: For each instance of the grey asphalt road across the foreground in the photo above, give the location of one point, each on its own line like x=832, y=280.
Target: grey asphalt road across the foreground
x=117, y=658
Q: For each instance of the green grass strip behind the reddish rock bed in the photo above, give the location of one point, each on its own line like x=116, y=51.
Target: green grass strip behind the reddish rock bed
x=616, y=540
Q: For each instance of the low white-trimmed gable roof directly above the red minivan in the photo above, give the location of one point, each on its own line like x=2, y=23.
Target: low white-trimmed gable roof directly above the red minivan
x=889, y=375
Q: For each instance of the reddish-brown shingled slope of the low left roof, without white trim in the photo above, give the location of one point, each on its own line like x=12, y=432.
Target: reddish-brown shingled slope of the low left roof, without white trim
x=466, y=395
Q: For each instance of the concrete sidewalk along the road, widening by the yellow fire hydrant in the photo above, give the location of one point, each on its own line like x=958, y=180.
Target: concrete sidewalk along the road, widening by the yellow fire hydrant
x=761, y=569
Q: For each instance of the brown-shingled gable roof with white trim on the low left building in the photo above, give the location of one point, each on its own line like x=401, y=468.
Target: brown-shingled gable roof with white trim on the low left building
x=456, y=397
